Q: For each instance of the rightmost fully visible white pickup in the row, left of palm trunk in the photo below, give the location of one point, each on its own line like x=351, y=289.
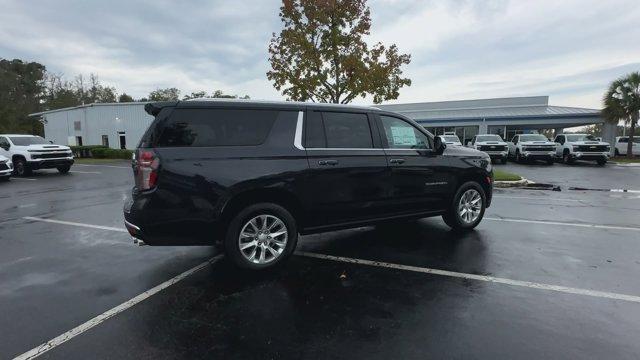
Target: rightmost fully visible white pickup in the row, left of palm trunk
x=572, y=147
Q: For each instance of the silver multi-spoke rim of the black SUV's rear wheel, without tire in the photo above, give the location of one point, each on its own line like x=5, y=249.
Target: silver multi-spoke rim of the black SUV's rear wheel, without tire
x=263, y=239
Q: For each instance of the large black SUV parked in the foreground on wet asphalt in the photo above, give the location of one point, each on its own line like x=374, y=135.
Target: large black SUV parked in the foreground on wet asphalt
x=253, y=175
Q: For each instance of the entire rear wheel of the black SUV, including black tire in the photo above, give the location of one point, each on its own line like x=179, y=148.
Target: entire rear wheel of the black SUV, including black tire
x=261, y=236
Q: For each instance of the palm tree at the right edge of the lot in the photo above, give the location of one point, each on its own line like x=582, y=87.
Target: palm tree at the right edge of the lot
x=622, y=103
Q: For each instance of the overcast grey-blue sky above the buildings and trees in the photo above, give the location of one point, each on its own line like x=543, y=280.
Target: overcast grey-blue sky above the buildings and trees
x=460, y=49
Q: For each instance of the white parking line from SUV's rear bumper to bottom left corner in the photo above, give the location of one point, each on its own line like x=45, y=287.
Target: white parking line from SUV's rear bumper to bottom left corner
x=58, y=340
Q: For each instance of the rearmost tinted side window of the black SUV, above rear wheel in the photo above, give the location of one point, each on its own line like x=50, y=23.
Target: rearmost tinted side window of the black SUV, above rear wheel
x=216, y=127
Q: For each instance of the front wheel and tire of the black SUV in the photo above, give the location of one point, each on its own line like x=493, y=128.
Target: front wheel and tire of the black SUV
x=467, y=208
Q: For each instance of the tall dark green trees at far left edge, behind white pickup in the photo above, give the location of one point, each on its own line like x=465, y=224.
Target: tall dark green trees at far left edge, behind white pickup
x=21, y=91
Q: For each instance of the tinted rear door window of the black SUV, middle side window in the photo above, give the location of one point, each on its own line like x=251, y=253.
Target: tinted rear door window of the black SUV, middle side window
x=347, y=130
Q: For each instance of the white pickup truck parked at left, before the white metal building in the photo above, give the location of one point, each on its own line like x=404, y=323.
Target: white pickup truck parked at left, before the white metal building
x=28, y=152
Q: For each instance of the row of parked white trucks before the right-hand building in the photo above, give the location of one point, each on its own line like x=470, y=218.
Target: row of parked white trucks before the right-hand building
x=567, y=148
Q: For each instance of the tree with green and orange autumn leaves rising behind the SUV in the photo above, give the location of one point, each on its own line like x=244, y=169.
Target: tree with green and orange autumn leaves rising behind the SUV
x=321, y=54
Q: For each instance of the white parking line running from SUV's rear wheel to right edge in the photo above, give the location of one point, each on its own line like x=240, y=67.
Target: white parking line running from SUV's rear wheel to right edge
x=485, y=278
